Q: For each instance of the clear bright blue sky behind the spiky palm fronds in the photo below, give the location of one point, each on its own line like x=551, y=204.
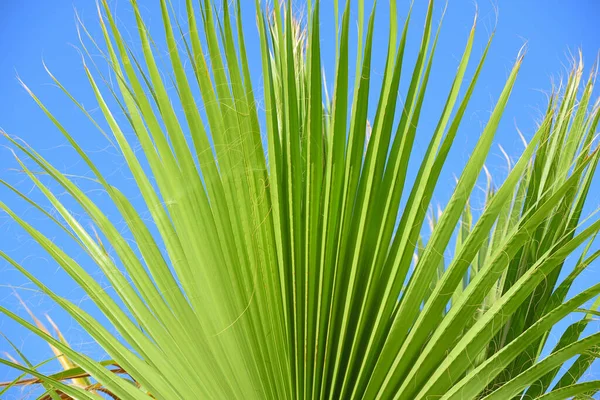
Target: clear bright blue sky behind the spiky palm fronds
x=33, y=30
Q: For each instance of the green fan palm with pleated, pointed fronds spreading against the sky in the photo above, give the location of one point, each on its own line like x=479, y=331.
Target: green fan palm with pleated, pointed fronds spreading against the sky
x=297, y=267
